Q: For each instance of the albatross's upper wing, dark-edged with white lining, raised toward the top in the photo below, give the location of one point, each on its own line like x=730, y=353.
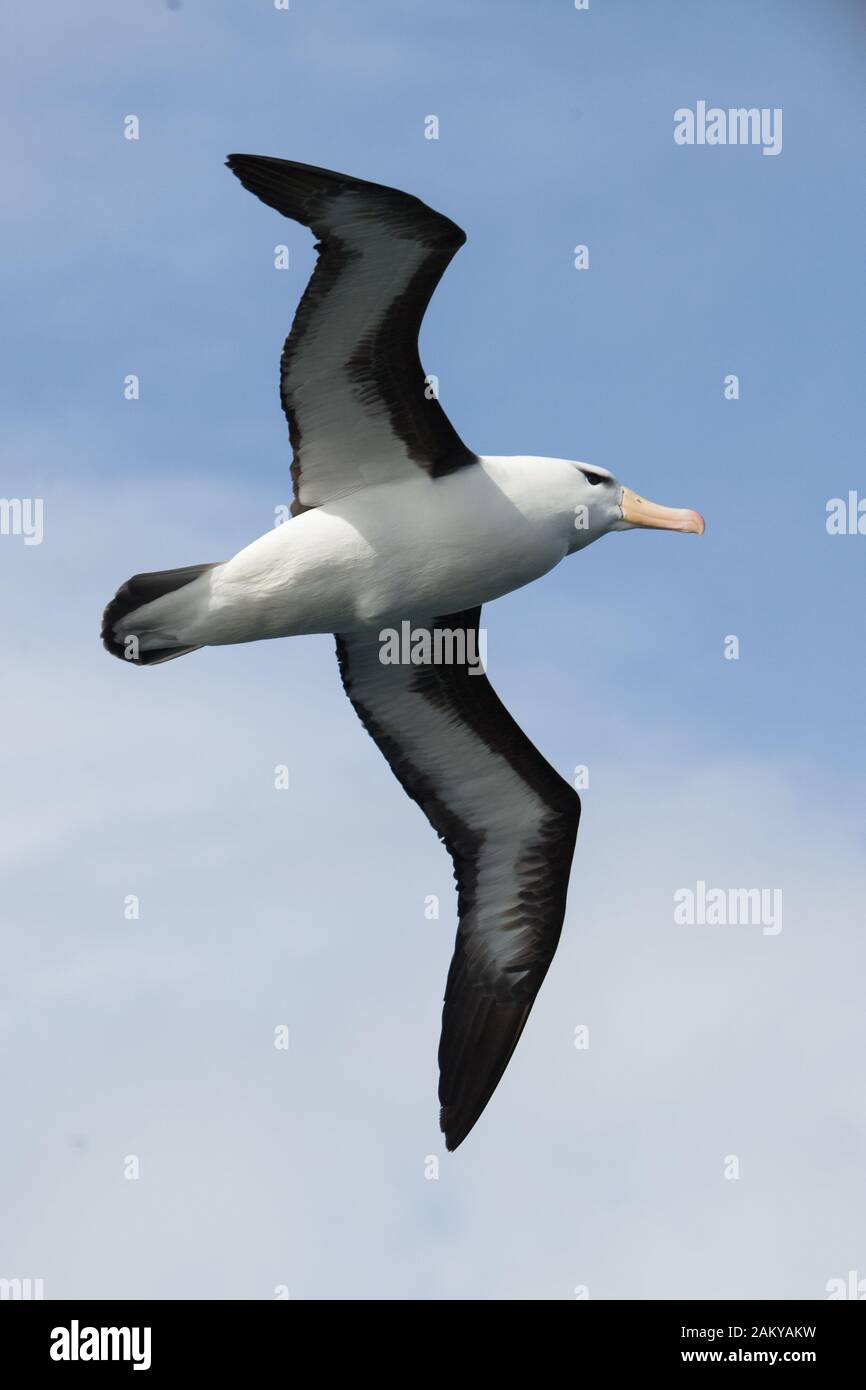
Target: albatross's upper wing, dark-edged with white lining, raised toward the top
x=352, y=383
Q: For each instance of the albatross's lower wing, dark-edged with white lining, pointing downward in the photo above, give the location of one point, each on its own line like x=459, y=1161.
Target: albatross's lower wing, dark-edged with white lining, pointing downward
x=509, y=824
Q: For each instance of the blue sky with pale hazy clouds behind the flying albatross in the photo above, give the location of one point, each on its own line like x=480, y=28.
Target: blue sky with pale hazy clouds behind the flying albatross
x=307, y=908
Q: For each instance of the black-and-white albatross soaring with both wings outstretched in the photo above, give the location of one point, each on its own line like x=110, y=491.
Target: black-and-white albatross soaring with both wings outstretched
x=395, y=521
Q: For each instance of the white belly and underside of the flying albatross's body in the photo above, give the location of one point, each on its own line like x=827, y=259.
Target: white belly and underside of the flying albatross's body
x=420, y=548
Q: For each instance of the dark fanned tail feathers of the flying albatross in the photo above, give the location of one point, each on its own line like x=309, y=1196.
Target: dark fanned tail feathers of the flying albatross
x=144, y=630
